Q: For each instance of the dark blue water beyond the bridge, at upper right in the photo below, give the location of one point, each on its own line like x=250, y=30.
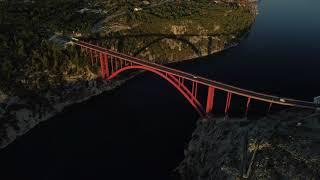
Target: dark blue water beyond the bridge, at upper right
x=280, y=55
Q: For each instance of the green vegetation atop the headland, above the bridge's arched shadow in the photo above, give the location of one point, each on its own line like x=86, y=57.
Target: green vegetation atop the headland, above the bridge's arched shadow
x=232, y=19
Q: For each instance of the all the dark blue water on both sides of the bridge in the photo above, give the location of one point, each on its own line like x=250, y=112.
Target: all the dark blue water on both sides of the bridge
x=139, y=131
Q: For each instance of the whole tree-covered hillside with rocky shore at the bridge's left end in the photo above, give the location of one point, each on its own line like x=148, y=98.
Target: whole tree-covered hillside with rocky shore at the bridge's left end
x=40, y=77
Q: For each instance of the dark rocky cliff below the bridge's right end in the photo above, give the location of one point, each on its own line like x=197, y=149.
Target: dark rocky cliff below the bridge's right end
x=280, y=146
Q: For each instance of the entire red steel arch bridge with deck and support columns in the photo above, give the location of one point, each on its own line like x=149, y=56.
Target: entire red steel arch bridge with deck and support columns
x=113, y=63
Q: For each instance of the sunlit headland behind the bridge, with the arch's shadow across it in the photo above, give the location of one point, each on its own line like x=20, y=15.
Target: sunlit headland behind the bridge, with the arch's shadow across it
x=177, y=30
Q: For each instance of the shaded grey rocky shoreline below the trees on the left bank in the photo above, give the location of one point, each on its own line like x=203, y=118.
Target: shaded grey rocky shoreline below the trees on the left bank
x=20, y=114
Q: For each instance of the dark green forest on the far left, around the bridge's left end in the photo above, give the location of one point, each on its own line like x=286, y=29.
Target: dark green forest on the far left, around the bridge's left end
x=27, y=58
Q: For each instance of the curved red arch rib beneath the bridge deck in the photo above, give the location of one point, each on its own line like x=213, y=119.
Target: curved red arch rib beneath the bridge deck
x=172, y=80
